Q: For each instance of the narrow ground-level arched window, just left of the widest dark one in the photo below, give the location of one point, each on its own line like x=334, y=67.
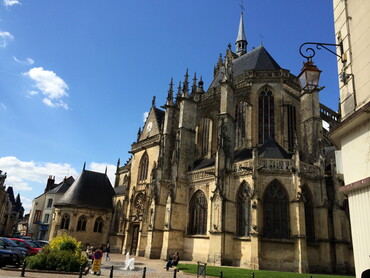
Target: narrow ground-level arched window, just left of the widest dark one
x=243, y=210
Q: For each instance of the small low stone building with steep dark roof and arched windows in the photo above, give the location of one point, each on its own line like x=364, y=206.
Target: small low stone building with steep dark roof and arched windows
x=85, y=209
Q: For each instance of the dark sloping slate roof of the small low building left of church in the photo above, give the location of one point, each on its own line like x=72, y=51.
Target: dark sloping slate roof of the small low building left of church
x=90, y=190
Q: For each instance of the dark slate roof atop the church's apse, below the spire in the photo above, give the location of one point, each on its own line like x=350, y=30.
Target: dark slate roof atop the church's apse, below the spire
x=256, y=59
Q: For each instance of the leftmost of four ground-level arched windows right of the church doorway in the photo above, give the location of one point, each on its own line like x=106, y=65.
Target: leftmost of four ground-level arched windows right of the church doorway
x=198, y=214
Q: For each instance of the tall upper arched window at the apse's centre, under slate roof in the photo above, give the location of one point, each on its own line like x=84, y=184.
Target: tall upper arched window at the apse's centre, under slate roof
x=265, y=116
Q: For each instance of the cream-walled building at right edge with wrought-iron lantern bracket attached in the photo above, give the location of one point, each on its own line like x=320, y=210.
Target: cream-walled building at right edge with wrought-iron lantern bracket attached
x=352, y=136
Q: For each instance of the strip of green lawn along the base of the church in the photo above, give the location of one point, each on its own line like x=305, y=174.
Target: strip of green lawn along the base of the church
x=230, y=272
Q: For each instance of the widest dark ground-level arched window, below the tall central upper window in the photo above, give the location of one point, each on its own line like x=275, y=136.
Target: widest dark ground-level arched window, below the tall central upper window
x=276, y=210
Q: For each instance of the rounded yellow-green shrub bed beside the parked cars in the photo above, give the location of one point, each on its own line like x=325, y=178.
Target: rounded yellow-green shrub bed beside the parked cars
x=63, y=254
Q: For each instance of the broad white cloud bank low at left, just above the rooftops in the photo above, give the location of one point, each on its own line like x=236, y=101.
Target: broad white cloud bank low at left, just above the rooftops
x=20, y=174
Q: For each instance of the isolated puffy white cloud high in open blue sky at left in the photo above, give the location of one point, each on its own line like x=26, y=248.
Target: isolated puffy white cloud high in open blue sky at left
x=51, y=86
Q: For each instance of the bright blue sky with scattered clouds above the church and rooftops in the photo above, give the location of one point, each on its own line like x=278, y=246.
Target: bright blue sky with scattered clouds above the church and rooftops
x=76, y=77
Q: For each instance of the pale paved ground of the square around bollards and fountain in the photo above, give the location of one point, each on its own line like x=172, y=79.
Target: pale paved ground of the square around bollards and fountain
x=154, y=269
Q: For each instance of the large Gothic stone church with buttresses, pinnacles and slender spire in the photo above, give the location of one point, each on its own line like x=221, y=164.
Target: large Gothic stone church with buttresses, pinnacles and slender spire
x=240, y=174
